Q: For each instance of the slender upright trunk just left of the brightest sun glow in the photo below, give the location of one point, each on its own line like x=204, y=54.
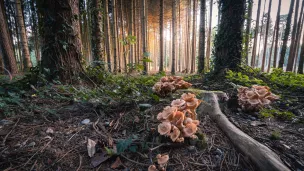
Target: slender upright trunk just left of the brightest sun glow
x=161, y=36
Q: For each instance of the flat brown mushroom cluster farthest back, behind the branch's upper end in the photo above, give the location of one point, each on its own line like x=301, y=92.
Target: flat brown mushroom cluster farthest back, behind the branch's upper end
x=169, y=84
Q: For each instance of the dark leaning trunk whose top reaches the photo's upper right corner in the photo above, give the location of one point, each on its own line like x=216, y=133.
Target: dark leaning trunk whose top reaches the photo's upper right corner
x=293, y=39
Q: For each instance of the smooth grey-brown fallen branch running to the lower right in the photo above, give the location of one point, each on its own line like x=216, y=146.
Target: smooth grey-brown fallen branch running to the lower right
x=259, y=154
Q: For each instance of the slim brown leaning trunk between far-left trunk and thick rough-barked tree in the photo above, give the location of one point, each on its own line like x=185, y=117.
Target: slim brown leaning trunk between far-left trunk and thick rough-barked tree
x=24, y=42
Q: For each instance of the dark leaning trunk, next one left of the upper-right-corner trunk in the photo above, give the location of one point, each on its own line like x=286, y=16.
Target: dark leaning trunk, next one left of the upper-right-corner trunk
x=286, y=34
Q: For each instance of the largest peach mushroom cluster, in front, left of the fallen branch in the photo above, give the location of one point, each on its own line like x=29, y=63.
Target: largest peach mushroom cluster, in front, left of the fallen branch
x=179, y=120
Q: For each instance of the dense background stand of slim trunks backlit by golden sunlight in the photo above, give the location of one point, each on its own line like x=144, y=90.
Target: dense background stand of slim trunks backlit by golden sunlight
x=150, y=35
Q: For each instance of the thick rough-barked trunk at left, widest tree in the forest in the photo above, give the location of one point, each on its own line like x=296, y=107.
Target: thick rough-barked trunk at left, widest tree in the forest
x=62, y=59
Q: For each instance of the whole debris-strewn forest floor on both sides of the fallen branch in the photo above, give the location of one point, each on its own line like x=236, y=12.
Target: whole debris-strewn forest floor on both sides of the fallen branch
x=52, y=134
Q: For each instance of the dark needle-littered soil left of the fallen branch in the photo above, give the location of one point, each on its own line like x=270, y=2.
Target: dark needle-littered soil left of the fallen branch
x=56, y=140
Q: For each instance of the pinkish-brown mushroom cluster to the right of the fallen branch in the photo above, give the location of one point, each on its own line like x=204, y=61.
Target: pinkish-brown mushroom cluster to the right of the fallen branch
x=254, y=98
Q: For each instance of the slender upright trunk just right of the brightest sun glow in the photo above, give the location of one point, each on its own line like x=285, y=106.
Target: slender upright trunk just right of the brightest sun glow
x=173, y=35
